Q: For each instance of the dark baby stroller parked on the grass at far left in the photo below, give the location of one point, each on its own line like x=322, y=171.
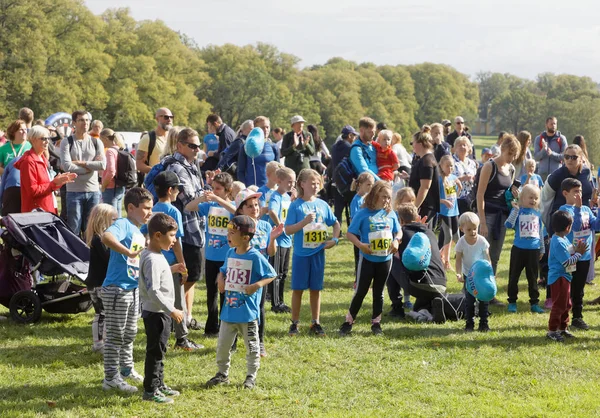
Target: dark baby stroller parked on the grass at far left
x=41, y=242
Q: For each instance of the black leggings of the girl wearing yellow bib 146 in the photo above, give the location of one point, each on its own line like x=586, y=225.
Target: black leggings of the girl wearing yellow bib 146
x=370, y=272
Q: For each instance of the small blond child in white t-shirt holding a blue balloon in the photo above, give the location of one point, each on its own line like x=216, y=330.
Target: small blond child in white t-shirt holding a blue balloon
x=470, y=248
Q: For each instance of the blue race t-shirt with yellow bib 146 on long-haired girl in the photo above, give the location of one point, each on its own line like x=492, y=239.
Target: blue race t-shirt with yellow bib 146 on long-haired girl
x=376, y=228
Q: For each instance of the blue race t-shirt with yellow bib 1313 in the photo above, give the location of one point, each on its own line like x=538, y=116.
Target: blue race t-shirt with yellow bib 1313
x=311, y=239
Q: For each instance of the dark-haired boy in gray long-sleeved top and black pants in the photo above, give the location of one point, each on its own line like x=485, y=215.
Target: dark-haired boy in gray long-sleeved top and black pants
x=158, y=298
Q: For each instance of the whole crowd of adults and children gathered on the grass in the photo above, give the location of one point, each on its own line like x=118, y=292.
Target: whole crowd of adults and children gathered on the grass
x=213, y=211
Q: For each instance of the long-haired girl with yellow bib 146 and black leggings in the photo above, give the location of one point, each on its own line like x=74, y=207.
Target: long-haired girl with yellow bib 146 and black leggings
x=375, y=230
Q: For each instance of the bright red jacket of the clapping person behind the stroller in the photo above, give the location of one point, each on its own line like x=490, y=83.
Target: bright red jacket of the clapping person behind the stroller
x=36, y=187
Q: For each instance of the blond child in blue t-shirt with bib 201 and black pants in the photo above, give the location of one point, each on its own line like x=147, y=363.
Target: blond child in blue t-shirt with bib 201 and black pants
x=528, y=247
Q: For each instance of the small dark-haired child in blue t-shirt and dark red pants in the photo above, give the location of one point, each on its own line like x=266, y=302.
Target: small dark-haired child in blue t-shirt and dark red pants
x=562, y=261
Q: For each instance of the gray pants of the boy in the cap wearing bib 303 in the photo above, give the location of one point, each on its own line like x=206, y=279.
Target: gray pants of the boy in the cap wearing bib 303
x=227, y=333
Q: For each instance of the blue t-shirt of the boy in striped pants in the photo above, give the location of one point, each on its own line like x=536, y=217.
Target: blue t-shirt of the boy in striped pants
x=122, y=271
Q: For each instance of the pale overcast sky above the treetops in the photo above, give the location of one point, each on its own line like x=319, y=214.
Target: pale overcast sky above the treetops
x=522, y=37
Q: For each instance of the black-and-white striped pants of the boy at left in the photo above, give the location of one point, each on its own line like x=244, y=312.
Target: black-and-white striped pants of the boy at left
x=121, y=310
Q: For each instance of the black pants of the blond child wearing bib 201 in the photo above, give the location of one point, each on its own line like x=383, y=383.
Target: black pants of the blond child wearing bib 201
x=523, y=259
